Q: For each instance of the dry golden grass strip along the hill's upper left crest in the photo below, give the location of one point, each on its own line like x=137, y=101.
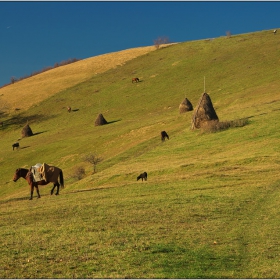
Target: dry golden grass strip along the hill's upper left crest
x=30, y=91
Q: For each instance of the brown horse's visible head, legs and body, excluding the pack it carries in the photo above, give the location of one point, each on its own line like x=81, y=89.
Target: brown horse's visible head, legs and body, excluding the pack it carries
x=28, y=176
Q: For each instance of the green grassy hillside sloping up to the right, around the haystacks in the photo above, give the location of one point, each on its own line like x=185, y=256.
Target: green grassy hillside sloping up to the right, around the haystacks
x=210, y=206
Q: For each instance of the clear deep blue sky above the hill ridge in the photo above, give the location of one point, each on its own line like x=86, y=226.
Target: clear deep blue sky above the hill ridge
x=35, y=35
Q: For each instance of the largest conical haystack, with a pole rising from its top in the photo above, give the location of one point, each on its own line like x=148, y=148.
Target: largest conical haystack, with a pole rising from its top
x=204, y=112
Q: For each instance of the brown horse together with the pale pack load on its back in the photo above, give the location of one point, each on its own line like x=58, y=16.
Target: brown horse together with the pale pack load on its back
x=41, y=174
